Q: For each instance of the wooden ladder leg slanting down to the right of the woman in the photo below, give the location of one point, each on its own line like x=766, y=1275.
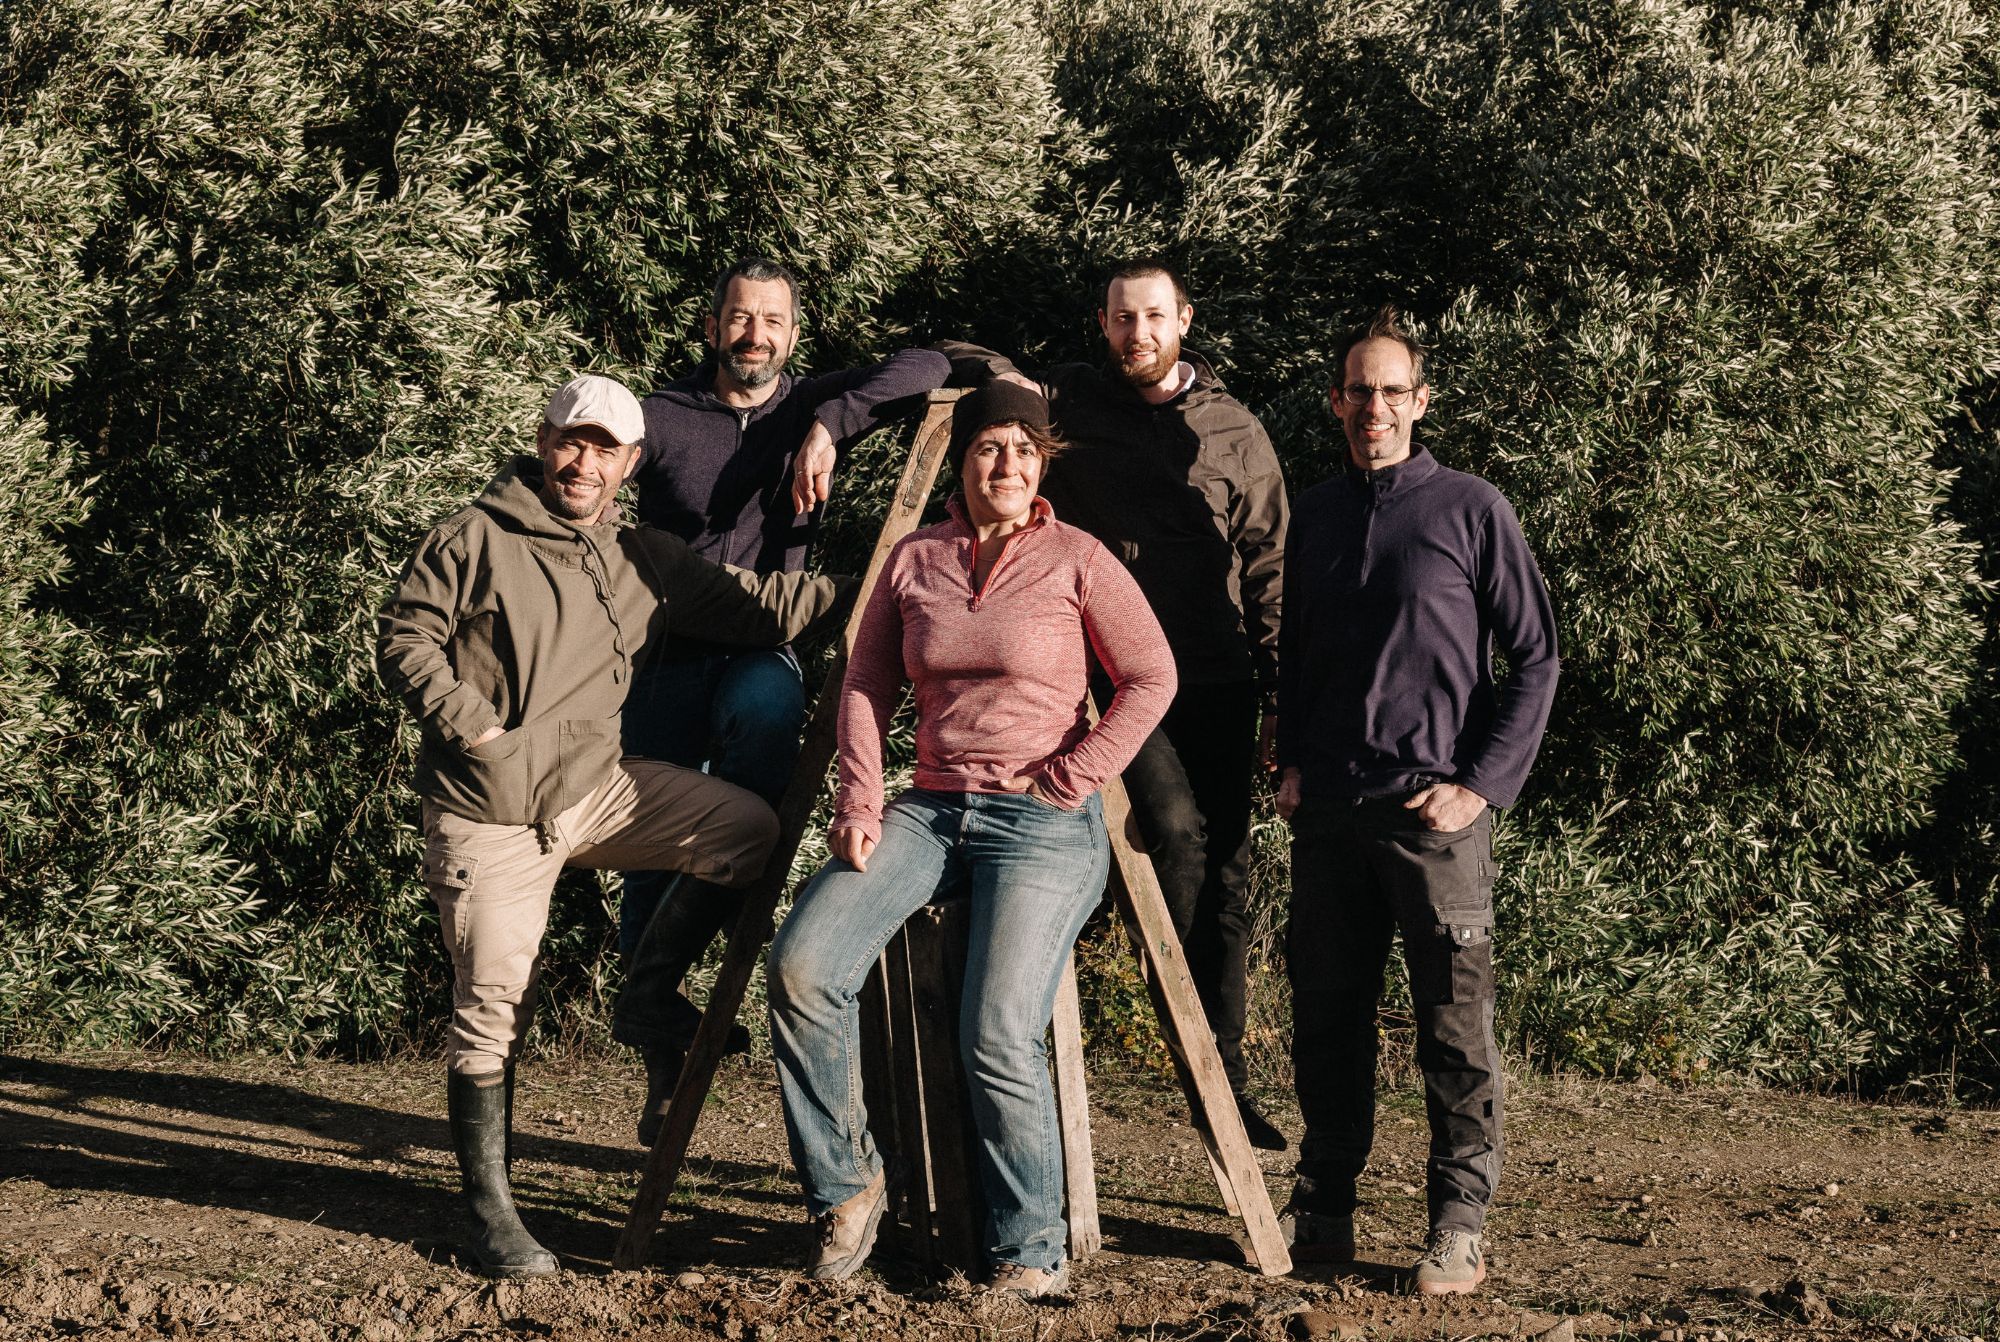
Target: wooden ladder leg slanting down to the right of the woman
x=1165, y=969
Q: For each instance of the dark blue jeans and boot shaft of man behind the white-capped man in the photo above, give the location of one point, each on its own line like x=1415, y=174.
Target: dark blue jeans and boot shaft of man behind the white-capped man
x=737, y=715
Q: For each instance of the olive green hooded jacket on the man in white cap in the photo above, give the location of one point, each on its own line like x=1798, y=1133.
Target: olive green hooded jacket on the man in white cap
x=513, y=617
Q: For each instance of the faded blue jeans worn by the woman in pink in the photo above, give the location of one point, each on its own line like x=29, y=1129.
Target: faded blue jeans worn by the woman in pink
x=1035, y=873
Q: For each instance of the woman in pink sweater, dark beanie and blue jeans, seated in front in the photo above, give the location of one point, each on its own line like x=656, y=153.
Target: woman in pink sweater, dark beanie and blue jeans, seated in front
x=997, y=619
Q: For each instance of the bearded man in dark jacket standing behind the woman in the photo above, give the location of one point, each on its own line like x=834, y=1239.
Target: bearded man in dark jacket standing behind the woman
x=1181, y=483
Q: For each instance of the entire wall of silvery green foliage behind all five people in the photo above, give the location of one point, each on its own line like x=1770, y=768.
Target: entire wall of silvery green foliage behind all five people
x=1711, y=291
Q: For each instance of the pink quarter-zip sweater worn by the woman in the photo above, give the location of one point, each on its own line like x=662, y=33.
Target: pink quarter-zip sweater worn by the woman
x=1001, y=673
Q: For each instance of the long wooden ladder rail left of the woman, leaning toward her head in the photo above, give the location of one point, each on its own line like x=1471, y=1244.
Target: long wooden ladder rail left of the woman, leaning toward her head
x=761, y=901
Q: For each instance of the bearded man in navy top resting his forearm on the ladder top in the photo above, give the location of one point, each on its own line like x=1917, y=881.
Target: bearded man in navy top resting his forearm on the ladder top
x=735, y=459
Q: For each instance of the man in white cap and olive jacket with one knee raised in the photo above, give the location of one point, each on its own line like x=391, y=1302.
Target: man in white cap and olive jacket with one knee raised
x=511, y=639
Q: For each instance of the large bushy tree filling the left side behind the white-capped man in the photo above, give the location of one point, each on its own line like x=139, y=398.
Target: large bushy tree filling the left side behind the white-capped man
x=295, y=279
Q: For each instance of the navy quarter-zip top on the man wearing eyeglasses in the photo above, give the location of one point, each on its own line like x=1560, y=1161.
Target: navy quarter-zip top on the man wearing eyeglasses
x=1399, y=589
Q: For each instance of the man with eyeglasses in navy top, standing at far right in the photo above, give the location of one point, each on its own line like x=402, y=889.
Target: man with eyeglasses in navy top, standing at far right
x=1395, y=747
